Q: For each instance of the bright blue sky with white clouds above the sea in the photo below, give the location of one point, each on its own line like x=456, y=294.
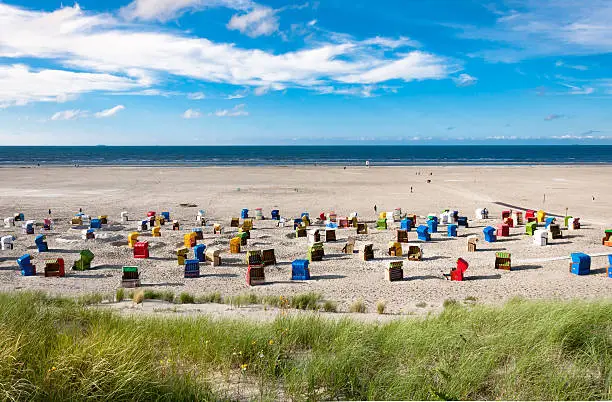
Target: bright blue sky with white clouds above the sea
x=208, y=72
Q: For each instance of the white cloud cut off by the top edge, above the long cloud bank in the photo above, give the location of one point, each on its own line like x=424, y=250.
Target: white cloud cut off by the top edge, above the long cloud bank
x=164, y=10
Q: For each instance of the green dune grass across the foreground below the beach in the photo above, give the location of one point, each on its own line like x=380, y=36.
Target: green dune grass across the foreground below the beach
x=58, y=349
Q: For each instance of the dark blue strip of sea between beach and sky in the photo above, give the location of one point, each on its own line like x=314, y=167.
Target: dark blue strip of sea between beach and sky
x=306, y=155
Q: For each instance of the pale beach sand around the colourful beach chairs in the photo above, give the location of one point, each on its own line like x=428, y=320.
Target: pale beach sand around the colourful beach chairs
x=541, y=272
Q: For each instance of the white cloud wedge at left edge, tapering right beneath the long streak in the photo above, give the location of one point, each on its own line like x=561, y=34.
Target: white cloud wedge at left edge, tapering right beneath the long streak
x=19, y=85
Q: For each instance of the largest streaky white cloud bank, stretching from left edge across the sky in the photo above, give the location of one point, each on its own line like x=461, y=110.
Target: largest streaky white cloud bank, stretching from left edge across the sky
x=133, y=57
